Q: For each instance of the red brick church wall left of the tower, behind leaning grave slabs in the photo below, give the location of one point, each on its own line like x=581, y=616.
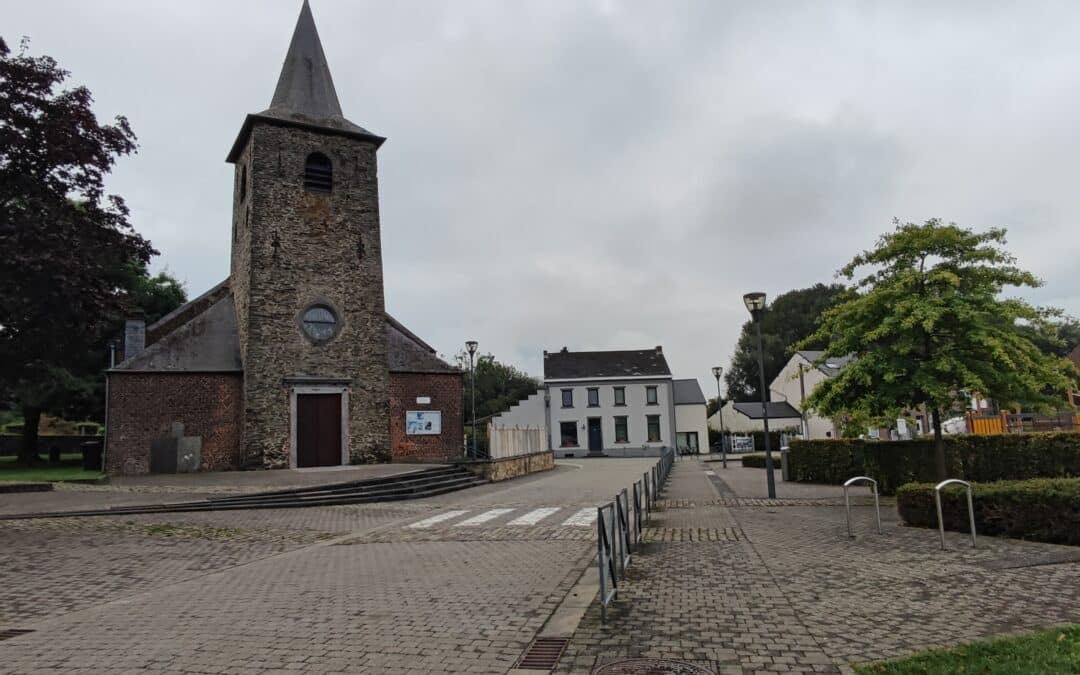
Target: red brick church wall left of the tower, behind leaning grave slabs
x=143, y=407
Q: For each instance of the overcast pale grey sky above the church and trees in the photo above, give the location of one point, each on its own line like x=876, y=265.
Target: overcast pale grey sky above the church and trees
x=606, y=174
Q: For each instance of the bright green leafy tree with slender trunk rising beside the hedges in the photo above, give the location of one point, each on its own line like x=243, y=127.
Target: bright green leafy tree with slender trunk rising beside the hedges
x=927, y=322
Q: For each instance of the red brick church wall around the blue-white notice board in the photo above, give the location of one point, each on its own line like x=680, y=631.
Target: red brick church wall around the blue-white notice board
x=447, y=396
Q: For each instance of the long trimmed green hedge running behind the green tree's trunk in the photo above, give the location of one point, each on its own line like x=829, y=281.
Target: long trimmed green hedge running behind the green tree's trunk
x=983, y=458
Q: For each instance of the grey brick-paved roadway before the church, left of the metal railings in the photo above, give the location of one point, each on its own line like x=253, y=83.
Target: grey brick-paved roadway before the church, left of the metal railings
x=344, y=589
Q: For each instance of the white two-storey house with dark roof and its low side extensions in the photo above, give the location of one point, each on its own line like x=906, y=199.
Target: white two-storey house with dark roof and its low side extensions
x=611, y=404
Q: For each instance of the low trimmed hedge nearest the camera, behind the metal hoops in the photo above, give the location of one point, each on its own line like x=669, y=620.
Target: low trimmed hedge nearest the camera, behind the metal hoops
x=1041, y=510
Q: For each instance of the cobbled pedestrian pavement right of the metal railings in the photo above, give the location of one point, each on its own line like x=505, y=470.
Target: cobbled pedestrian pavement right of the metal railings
x=794, y=595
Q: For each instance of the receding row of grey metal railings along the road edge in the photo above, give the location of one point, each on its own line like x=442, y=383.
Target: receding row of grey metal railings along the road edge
x=618, y=533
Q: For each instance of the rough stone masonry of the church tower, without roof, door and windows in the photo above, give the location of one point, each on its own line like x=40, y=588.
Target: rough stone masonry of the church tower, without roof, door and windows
x=294, y=249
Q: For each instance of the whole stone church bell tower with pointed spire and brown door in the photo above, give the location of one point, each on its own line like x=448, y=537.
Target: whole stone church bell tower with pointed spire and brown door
x=307, y=274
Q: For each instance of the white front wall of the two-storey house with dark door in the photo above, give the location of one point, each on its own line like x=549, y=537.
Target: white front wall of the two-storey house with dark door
x=636, y=410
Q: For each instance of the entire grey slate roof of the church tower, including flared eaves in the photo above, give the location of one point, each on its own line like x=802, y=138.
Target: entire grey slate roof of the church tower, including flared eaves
x=305, y=96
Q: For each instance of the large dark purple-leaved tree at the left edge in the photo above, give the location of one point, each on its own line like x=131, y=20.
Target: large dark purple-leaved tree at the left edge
x=63, y=237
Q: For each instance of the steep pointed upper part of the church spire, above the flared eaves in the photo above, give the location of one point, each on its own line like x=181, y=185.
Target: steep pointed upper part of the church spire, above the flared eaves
x=305, y=86
